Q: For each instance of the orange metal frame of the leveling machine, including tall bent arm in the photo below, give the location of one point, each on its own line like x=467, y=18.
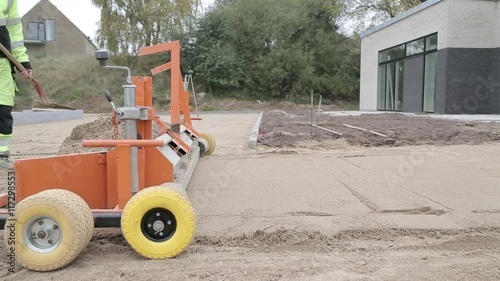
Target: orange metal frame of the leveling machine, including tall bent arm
x=103, y=179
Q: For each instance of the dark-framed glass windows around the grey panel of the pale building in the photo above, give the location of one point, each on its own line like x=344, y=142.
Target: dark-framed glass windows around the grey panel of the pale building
x=392, y=69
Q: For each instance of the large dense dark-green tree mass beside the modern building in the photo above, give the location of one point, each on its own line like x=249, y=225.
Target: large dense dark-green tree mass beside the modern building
x=277, y=49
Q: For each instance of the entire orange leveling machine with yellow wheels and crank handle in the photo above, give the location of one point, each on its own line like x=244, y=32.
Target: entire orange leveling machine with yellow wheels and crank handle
x=138, y=185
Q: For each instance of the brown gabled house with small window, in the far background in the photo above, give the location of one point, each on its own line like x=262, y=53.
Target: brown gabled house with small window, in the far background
x=47, y=31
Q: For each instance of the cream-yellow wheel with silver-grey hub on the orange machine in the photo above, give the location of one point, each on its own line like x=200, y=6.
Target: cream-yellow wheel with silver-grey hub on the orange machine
x=51, y=229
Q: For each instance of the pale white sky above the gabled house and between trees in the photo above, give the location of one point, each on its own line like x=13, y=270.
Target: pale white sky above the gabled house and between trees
x=81, y=12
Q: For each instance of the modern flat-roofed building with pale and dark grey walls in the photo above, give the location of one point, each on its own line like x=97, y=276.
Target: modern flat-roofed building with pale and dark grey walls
x=442, y=57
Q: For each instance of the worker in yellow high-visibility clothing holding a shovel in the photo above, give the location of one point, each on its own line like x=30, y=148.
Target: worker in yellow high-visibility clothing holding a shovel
x=12, y=38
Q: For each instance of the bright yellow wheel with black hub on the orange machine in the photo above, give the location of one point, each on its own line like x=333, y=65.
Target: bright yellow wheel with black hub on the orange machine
x=158, y=222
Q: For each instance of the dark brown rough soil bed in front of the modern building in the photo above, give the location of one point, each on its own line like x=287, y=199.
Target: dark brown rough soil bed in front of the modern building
x=293, y=130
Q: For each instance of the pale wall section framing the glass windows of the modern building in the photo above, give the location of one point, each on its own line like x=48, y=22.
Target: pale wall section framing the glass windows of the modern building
x=431, y=20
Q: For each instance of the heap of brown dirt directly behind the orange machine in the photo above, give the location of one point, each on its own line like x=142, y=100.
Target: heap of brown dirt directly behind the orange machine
x=100, y=129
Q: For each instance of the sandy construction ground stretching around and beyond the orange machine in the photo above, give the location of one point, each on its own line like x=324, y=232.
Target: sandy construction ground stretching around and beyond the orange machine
x=357, y=207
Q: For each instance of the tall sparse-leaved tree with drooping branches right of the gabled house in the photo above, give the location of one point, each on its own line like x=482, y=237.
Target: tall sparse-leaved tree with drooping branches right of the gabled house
x=126, y=26
